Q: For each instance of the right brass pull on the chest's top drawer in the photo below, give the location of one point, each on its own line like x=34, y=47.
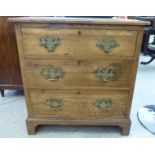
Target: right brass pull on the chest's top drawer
x=107, y=45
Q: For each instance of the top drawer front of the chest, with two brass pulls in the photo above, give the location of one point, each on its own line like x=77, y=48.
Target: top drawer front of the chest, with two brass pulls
x=78, y=43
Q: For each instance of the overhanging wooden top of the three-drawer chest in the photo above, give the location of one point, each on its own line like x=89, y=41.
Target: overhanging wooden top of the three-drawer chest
x=62, y=20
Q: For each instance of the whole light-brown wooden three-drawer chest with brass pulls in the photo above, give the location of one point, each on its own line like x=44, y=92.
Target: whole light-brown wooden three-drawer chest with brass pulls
x=78, y=71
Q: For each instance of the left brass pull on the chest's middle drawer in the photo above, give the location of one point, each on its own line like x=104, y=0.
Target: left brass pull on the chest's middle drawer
x=51, y=74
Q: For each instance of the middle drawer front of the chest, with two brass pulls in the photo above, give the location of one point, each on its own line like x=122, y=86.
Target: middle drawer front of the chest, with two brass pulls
x=57, y=74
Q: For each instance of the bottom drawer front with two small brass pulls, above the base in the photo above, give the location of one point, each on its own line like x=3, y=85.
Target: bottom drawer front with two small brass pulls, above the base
x=78, y=104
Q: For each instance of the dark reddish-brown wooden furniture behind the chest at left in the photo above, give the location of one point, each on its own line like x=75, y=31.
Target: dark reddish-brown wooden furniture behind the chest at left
x=10, y=76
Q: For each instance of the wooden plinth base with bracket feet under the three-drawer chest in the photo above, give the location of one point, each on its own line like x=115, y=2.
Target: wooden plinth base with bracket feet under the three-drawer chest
x=33, y=123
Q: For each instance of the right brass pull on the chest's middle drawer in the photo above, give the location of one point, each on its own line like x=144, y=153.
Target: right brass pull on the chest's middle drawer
x=106, y=74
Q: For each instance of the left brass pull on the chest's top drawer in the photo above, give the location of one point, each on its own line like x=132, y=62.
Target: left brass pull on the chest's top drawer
x=50, y=43
